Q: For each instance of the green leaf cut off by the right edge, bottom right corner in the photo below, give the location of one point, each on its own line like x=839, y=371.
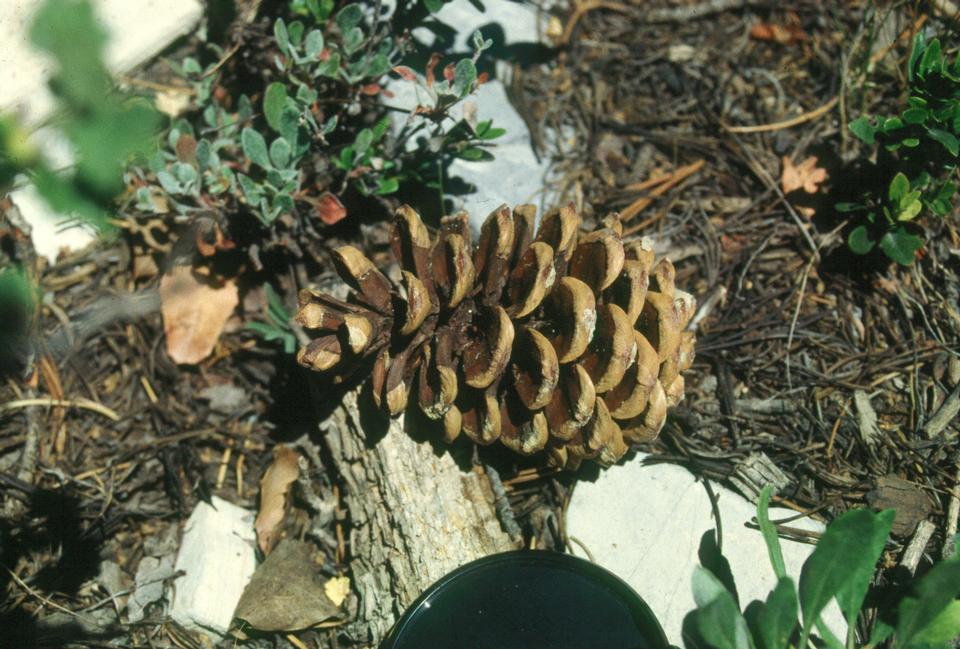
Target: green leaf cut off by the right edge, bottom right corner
x=930, y=597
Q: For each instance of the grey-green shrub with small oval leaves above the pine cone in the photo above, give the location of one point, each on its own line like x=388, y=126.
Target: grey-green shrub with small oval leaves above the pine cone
x=313, y=128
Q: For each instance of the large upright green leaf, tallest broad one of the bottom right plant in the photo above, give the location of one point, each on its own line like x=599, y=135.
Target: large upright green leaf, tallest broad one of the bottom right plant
x=837, y=560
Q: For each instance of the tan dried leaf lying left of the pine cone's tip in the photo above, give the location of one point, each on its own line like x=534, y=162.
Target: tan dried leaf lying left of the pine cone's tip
x=194, y=313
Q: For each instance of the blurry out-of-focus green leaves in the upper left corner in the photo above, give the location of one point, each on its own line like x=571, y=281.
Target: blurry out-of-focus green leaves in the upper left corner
x=106, y=130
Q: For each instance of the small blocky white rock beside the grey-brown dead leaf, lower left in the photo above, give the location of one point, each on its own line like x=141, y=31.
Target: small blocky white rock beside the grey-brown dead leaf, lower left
x=217, y=555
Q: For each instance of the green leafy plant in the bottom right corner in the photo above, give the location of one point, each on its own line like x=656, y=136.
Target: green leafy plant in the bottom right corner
x=926, y=615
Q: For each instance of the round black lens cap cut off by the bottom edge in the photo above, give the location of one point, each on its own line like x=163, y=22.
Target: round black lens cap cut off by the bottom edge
x=528, y=599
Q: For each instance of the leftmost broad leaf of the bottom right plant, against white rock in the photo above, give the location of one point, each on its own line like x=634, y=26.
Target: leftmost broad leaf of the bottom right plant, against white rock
x=716, y=617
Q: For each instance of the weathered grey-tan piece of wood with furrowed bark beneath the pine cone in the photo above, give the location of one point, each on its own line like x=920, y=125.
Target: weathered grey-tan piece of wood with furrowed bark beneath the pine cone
x=415, y=515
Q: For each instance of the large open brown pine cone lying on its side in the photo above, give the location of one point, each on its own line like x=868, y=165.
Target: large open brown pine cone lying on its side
x=573, y=345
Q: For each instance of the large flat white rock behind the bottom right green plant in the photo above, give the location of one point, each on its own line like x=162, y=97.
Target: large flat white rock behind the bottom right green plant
x=644, y=523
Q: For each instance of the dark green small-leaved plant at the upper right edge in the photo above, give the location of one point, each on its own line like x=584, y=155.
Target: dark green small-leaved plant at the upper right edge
x=918, y=158
